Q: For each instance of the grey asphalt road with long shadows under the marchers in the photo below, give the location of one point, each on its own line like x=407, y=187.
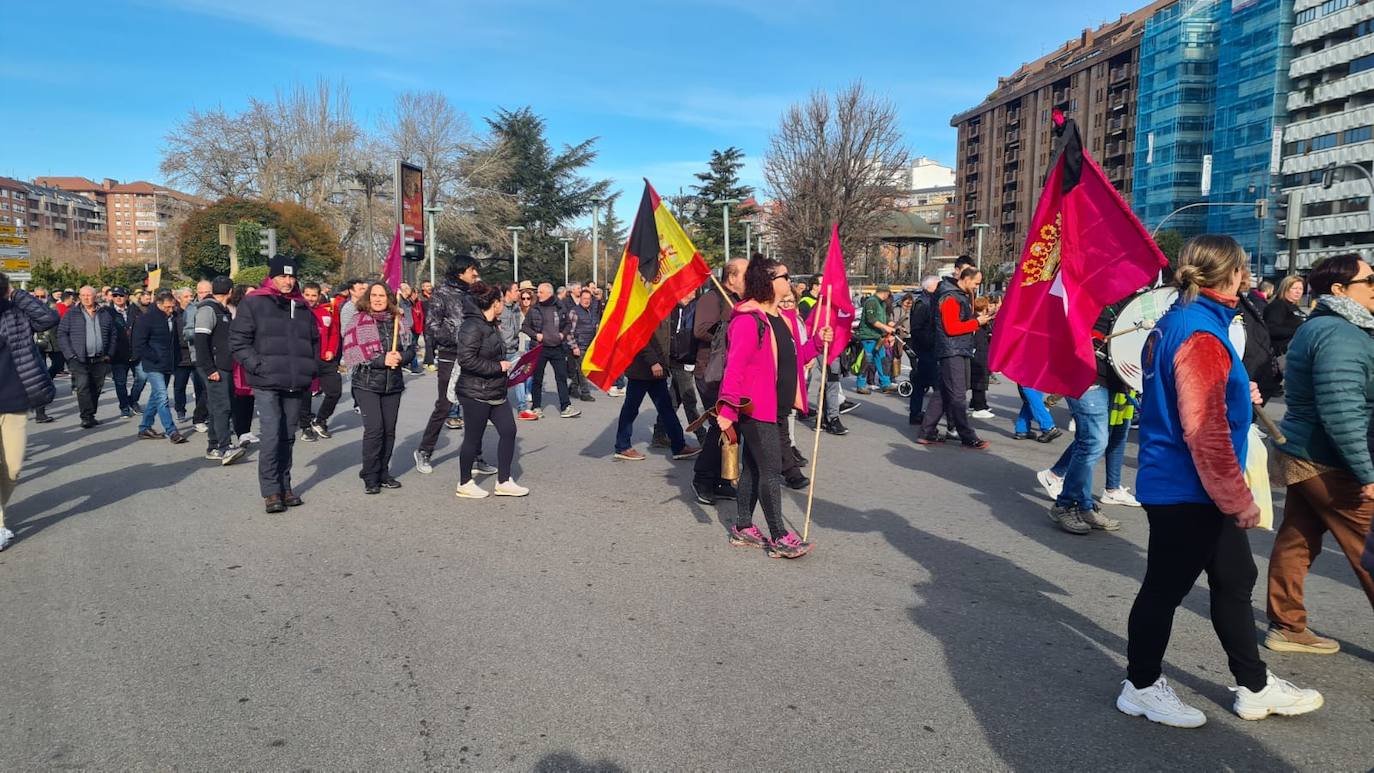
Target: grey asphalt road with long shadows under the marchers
x=155, y=617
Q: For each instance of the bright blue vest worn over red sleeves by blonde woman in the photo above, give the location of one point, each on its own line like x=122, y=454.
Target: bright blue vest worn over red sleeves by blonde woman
x=1167, y=472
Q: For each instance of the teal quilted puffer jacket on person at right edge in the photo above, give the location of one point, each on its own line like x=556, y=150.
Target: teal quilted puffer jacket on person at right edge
x=1329, y=388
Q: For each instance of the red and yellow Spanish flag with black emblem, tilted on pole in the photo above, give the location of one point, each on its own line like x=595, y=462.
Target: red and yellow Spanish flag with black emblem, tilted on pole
x=660, y=267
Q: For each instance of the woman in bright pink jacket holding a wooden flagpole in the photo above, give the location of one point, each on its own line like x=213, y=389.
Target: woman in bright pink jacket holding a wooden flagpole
x=762, y=385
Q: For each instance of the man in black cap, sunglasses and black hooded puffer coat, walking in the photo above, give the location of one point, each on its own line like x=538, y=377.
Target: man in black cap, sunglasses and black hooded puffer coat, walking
x=275, y=340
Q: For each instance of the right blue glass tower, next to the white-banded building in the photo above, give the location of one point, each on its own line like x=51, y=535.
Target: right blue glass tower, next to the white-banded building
x=1252, y=84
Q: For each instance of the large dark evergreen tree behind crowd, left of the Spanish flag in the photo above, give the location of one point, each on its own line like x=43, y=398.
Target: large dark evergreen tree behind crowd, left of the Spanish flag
x=546, y=186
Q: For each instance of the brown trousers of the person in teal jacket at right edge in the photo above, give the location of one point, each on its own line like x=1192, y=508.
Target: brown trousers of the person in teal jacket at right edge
x=1328, y=503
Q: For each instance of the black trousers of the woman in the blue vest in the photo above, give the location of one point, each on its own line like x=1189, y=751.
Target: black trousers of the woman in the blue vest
x=1185, y=542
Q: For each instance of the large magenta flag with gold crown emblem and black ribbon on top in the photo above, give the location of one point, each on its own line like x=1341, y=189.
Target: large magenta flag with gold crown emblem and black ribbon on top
x=1086, y=251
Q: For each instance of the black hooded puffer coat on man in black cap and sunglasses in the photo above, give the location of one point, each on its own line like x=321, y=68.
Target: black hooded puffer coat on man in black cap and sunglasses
x=277, y=341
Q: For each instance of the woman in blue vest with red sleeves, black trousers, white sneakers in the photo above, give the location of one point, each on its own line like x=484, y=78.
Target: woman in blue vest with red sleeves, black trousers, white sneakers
x=1195, y=422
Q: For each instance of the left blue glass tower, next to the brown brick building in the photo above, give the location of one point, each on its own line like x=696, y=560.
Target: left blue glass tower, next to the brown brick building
x=1174, y=113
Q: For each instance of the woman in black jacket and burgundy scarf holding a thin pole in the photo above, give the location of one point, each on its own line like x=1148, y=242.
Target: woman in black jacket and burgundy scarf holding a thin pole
x=377, y=344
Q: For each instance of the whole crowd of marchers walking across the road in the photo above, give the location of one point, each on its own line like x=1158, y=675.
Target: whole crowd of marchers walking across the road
x=740, y=362
